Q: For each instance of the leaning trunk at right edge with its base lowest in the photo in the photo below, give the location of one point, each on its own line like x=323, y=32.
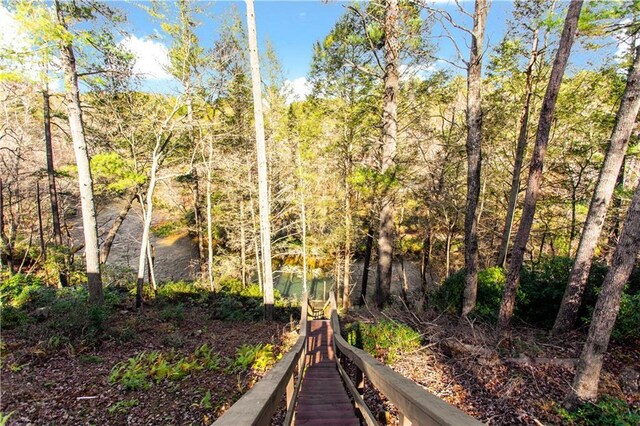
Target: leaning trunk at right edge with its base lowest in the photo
x=585, y=383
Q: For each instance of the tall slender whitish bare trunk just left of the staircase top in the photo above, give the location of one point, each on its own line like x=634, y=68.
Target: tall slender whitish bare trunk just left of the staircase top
x=263, y=176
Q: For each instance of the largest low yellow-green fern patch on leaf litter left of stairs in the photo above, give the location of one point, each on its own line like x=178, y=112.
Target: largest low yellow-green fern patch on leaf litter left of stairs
x=146, y=368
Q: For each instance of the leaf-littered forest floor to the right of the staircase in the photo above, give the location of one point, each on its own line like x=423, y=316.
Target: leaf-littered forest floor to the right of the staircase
x=522, y=380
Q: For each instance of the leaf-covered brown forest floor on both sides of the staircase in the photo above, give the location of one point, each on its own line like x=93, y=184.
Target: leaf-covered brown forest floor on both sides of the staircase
x=50, y=376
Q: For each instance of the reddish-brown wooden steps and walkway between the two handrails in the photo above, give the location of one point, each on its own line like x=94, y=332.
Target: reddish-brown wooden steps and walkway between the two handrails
x=323, y=400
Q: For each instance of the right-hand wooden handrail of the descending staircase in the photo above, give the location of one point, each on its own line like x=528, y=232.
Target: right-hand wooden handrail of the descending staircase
x=416, y=405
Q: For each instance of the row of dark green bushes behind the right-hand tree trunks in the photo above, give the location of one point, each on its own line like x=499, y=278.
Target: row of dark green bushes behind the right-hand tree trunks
x=539, y=295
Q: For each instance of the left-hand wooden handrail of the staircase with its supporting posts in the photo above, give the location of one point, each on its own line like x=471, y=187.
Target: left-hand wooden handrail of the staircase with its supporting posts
x=257, y=406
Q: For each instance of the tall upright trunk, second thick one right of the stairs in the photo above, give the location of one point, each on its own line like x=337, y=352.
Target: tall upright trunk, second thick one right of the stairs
x=474, y=157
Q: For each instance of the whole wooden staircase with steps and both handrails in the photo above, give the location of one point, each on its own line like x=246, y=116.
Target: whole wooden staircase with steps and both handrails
x=315, y=384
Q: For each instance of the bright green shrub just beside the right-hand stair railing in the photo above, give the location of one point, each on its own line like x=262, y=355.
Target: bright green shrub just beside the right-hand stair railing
x=385, y=339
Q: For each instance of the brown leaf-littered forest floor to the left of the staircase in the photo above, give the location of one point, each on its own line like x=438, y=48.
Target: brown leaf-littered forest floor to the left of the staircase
x=47, y=379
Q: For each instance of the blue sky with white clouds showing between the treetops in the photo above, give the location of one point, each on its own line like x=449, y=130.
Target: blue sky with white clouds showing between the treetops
x=293, y=27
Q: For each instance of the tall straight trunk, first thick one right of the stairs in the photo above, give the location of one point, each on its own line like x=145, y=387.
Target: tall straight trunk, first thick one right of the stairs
x=386, y=235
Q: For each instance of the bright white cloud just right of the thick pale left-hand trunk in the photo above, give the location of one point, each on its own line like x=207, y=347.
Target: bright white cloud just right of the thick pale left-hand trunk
x=152, y=57
